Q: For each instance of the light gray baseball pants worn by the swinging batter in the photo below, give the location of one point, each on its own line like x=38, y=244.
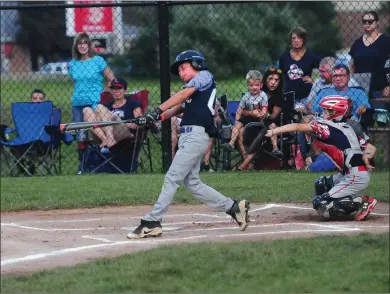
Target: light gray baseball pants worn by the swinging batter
x=185, y=169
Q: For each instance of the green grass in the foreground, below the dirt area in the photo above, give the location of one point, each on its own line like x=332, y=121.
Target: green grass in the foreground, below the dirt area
x=328, y=264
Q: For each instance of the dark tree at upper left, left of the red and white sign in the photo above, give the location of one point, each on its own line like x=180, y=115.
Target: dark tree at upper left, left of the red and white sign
x=42, y=31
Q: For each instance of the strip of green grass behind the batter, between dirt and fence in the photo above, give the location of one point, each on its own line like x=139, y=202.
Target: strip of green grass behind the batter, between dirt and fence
x=100, y=190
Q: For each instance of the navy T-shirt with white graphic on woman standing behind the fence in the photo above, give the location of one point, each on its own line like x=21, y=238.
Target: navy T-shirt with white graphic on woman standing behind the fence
x=294, y=71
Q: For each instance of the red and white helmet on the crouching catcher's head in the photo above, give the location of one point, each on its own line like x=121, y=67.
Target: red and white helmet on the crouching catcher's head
x=341, y=107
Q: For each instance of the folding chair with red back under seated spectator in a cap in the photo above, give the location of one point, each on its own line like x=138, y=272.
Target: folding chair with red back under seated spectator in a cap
x=117, y=161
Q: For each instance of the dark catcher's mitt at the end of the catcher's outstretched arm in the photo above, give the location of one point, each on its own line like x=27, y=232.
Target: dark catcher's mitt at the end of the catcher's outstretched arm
x=254, y=136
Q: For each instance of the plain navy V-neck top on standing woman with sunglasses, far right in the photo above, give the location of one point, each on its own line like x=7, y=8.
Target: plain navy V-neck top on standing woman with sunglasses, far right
x=372, y=59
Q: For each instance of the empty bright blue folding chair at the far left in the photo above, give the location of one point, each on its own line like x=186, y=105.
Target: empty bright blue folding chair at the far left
x=32, y=148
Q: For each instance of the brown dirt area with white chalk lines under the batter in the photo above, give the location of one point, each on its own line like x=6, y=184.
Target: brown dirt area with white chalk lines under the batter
x=32, y=241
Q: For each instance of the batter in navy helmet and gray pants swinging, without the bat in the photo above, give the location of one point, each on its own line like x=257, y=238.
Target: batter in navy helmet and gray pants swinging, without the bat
x=196, y=102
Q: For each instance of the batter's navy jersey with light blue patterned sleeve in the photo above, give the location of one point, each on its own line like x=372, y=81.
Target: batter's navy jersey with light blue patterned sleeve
x=199, y=108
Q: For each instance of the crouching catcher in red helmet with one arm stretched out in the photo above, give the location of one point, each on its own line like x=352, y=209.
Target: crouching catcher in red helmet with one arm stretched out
x=344, y=141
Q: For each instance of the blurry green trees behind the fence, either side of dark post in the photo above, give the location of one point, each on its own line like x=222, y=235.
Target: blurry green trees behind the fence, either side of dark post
x=236, y=37
